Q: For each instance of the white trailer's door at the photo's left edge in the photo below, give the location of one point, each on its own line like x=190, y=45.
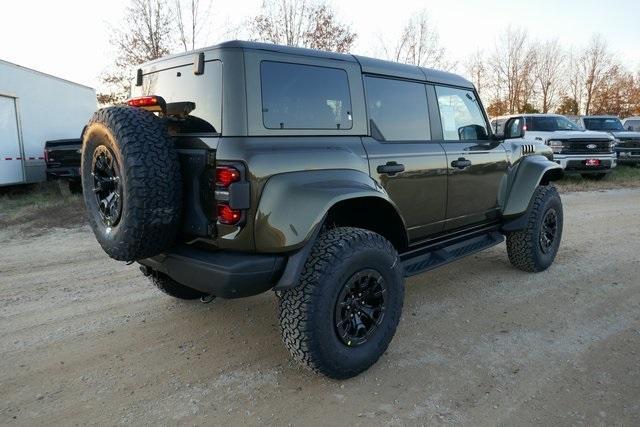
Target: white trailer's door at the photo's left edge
x=11, y=171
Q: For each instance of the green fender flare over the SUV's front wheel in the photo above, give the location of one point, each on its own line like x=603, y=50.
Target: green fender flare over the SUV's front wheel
x=529, y=174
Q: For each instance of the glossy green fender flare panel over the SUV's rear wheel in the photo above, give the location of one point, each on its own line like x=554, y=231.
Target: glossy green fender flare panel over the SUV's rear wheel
x=293, y=205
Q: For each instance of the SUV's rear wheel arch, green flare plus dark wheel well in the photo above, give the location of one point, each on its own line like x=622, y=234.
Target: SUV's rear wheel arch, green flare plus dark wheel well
x=293, y=207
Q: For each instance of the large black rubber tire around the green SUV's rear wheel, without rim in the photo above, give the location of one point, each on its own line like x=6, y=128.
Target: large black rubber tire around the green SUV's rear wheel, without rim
x=307, y=311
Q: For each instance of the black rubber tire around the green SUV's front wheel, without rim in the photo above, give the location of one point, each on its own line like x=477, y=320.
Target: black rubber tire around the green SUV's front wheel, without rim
x=524, y=246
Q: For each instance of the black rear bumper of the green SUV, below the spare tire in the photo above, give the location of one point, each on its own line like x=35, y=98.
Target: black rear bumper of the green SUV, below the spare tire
x=220, y=273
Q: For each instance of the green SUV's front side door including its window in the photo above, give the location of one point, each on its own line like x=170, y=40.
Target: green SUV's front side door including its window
x=476, y=164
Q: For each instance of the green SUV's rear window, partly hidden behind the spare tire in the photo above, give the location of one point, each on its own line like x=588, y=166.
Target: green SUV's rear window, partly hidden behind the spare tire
x=182, y=85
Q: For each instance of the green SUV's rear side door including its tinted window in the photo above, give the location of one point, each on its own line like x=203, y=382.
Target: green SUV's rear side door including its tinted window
x=402, y=157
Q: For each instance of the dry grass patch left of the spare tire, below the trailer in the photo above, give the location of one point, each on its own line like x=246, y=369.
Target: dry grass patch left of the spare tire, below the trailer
x=40, y=206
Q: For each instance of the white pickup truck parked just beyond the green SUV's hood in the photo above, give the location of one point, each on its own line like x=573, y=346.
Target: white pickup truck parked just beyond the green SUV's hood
x=589, y=153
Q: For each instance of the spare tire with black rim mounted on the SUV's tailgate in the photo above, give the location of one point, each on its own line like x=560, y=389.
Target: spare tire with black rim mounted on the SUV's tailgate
x=131, y=182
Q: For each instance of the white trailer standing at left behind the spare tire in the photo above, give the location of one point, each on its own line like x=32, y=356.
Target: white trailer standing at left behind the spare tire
x=36, y=107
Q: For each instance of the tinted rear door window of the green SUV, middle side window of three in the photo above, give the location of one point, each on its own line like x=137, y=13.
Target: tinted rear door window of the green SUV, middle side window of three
x=398, y=109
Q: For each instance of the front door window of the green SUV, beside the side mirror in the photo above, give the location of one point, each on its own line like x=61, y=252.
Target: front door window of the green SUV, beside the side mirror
x=460, y=114
